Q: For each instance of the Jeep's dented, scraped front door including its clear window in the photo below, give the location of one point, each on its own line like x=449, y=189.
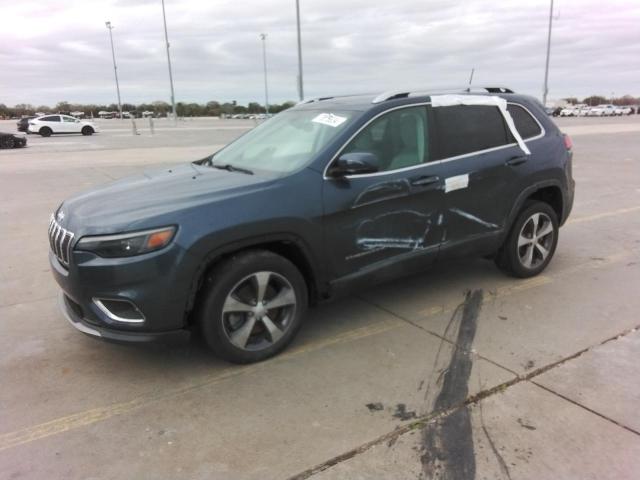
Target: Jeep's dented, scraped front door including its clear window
x=386, y=222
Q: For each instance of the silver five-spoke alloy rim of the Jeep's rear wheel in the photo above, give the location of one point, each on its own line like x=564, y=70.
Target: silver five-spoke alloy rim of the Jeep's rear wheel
x=535, y=240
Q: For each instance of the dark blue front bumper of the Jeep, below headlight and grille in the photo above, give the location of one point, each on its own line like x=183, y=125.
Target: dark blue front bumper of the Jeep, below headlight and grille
x=150, y=282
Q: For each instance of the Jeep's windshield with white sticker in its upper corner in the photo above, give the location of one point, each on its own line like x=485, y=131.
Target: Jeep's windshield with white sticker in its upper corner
x=286, y=142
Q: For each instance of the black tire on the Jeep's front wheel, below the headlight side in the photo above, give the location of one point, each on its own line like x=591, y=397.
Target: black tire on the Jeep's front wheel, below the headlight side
x=232, y=276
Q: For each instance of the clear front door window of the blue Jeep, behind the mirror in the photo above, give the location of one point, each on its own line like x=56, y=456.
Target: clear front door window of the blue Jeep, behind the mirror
x=397, y=138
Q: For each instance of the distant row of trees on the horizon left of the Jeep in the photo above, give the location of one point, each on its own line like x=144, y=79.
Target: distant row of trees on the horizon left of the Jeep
x=213, y=108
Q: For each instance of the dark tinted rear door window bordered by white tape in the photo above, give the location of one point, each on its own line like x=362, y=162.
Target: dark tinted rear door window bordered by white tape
x=464, y=129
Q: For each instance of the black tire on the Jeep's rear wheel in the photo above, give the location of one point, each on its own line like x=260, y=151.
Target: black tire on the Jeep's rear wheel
x=510, y=256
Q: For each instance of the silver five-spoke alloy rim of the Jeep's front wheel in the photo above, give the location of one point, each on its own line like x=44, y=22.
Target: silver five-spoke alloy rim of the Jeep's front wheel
x=258, y=310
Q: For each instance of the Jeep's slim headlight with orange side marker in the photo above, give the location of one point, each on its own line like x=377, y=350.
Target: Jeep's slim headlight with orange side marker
x=127, y=244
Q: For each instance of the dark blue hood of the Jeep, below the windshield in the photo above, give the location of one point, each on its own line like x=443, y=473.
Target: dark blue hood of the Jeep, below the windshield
x=142, y=201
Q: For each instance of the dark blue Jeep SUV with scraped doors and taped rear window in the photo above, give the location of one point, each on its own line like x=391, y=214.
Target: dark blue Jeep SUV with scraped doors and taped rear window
x=331, y=195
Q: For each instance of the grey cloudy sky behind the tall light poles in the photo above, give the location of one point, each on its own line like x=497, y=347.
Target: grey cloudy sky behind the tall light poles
x=57, y=50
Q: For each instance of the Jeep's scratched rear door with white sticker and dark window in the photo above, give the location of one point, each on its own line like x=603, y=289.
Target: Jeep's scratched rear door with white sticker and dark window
x=481, y=165
